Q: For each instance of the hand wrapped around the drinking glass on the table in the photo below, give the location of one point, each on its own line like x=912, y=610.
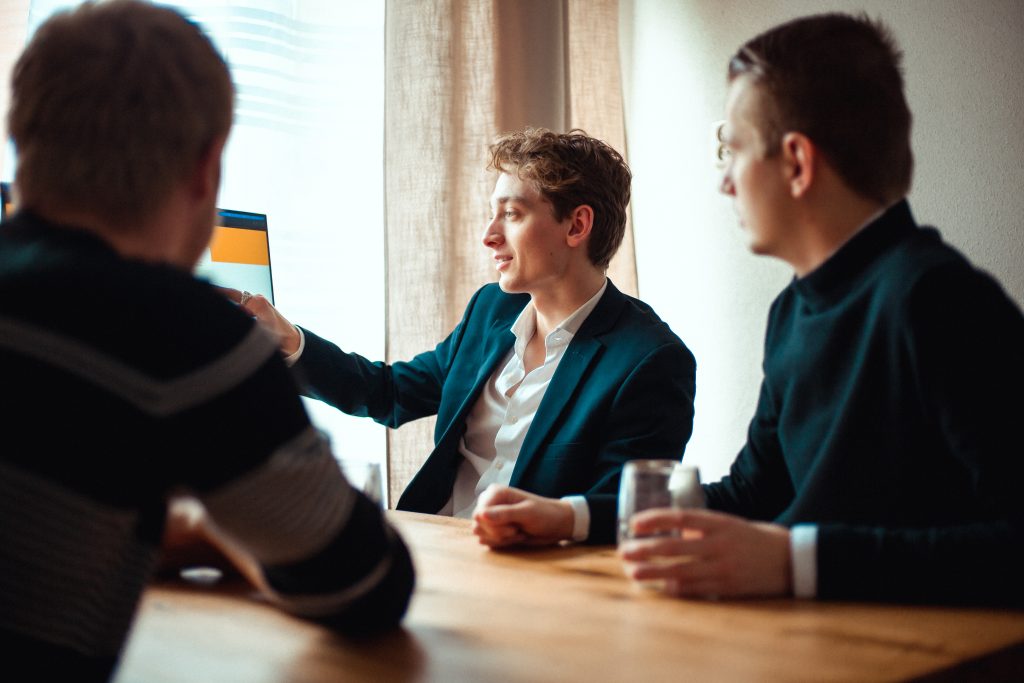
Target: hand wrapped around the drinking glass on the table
x=718, y=556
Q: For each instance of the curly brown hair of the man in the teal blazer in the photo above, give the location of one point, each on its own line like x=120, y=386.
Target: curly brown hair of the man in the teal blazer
x=571, y=170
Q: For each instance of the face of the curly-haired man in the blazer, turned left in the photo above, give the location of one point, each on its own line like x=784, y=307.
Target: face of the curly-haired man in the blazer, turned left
x=529, y=246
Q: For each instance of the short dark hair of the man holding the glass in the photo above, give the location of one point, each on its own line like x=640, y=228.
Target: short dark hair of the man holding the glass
x=837, y=79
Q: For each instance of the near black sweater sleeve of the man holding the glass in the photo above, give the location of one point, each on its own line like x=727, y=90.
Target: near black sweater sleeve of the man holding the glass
x=966, y=340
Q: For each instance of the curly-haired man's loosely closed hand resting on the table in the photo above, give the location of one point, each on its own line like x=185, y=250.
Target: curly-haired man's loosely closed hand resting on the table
x=506, y=517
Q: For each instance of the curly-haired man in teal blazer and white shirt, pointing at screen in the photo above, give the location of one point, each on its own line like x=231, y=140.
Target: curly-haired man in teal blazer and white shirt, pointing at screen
x=553, y=379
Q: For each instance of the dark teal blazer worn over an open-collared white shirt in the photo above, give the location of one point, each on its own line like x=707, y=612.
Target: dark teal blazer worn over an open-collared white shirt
x=623, y=391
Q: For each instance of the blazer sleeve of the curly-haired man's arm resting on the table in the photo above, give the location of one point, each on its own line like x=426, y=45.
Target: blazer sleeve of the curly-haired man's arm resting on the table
x=652, y=416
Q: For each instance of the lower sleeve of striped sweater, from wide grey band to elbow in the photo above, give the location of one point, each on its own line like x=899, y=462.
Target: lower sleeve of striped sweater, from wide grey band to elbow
x=325, y=549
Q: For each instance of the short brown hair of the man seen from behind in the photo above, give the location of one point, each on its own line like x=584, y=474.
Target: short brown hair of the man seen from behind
x=112, y=104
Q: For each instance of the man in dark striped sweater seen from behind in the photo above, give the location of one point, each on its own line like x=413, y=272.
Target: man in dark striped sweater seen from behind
x=126, y=381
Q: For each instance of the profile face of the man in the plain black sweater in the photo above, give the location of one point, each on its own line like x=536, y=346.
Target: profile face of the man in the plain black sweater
x=755, y=181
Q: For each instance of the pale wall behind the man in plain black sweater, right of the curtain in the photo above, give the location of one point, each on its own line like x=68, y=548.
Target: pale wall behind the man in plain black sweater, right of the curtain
x=965, y=75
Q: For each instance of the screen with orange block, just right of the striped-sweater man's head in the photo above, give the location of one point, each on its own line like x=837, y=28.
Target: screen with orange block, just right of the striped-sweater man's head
x=239, y=255
